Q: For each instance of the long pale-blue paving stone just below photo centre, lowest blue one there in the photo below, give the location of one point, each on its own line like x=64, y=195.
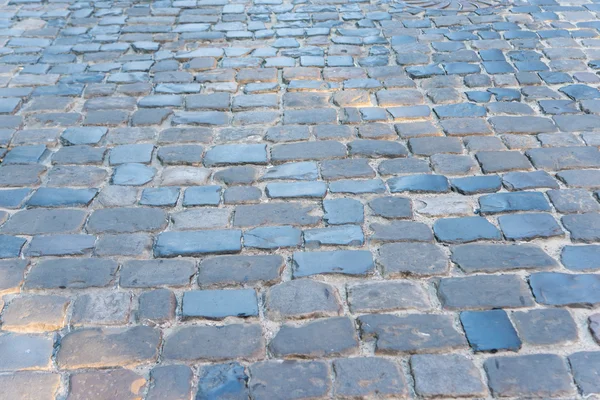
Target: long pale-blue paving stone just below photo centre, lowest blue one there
x=346, y=262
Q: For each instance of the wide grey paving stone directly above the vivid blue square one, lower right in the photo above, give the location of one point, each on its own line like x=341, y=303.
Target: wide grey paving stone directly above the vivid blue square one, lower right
x=484, y=292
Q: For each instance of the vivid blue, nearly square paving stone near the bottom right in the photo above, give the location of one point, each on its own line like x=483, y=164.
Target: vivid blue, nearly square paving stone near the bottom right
x=489, y=331
